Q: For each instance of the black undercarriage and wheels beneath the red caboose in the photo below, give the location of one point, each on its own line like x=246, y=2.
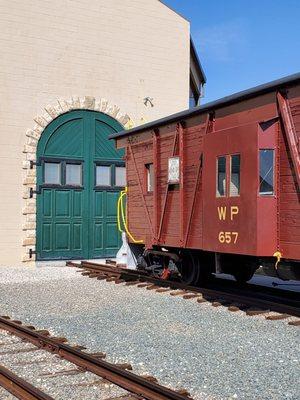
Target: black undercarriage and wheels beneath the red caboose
x=195, y=267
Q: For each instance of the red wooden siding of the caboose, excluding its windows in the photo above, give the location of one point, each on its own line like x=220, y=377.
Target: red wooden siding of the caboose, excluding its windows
x=186, y=215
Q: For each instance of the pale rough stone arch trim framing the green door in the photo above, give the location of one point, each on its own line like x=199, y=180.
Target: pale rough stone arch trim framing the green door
x=30, y=148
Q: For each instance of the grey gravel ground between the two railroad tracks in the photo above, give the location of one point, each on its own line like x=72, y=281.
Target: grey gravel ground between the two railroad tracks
x=211, y=352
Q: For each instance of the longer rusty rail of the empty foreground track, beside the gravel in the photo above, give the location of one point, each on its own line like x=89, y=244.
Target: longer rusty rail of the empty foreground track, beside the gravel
x=116, y=375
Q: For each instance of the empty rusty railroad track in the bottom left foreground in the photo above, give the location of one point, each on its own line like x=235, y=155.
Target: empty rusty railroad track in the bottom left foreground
x=136, y=387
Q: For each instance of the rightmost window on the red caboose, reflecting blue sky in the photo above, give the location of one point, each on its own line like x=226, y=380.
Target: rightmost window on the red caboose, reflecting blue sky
x=266, y=172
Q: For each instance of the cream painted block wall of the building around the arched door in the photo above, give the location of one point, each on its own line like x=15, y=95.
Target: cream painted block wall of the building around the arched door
x=122, y=50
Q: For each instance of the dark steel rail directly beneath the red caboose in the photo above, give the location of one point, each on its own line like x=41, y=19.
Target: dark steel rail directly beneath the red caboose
x=251, y=301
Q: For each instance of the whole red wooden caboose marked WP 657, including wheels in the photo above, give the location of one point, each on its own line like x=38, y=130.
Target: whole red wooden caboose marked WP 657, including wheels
x=216, y=188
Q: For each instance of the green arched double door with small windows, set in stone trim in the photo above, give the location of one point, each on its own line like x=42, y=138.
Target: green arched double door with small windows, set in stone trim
x=79, y=177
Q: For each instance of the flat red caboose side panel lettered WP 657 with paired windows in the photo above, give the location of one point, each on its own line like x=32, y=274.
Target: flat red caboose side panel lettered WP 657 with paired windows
x=230, y=190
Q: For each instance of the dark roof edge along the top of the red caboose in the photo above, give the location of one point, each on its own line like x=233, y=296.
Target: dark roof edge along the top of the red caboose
x=225, y=101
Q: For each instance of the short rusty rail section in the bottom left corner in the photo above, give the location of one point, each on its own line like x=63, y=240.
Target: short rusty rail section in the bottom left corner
x=19, y=387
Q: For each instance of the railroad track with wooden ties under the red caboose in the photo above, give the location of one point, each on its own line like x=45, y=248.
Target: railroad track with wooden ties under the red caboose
x=272, y=307
